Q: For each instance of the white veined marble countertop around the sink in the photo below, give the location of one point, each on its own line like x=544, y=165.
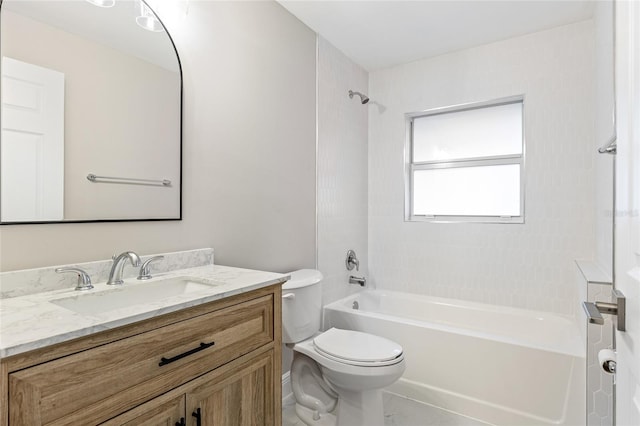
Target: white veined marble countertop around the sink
x=32, y=321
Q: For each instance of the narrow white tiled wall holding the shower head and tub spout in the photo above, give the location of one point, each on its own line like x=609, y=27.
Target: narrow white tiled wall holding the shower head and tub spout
x=342, y=170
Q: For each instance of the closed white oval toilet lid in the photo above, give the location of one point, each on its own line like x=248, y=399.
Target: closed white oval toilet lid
x=352, y=345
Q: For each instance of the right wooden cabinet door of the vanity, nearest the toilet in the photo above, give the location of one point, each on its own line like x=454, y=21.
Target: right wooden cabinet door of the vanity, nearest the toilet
x=241, y=396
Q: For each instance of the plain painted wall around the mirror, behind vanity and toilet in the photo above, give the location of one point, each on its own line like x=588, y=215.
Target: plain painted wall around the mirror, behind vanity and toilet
x=249, y=157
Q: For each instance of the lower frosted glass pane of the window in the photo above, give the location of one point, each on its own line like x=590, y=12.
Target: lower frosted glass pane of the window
x=468, y=191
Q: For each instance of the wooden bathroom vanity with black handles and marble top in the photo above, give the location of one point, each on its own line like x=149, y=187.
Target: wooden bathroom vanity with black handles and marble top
x=207, y=358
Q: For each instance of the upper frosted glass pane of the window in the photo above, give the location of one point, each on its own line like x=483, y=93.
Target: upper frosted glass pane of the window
x=481, y=132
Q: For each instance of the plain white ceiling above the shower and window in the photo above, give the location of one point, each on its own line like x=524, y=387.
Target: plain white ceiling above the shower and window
x=381, y=34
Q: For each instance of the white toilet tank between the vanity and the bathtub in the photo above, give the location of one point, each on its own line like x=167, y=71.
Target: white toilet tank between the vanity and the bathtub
x=301, y=305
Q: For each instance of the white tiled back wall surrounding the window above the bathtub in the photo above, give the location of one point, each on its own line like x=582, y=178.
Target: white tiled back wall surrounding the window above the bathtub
x=528, y=265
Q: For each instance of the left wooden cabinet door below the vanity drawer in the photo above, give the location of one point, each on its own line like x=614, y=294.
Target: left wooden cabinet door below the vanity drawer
x=160, y=411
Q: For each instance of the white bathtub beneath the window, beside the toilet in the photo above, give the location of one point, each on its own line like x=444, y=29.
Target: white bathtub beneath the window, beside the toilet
x=500, y=365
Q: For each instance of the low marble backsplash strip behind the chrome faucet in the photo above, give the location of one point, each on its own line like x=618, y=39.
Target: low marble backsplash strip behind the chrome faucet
x=38, y=280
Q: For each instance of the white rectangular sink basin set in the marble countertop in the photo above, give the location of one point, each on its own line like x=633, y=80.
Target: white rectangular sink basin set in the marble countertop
x=125, y=296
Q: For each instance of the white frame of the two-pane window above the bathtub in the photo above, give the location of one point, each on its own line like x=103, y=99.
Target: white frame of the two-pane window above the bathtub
x=411, y=166
